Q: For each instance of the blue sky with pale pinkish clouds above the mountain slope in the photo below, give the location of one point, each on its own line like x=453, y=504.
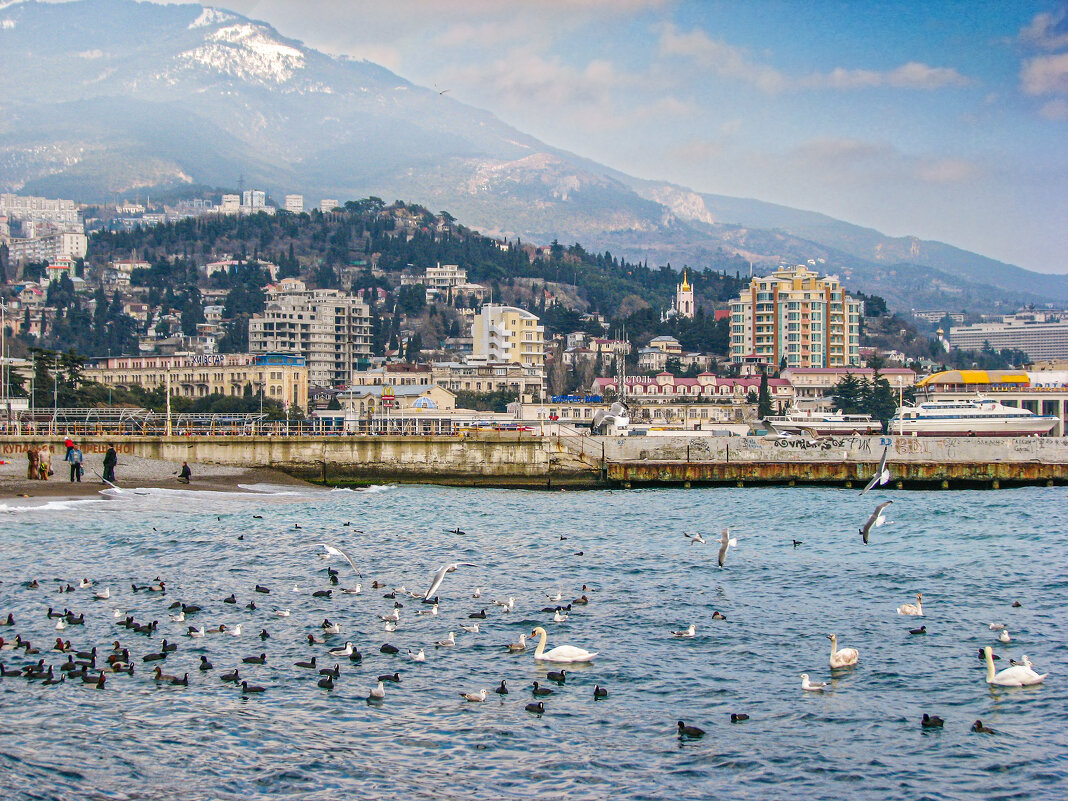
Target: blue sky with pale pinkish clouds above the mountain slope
x=947, y=121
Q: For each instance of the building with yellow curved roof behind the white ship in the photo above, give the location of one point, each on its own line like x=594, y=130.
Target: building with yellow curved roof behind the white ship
x=1043, y=391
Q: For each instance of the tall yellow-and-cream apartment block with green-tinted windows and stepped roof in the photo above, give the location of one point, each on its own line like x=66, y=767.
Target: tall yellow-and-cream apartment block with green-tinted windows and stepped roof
x=797, y=316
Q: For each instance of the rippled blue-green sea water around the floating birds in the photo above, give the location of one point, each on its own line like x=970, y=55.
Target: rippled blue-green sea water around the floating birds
x=971, y=554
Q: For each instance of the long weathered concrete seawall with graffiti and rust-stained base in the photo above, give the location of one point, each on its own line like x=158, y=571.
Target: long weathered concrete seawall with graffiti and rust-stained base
x=519, y=460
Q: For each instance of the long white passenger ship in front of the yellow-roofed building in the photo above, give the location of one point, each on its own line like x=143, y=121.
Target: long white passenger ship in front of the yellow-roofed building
x=979, y=417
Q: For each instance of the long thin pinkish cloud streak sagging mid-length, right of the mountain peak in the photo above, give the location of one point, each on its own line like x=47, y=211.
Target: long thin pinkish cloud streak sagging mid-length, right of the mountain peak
x=736, y=64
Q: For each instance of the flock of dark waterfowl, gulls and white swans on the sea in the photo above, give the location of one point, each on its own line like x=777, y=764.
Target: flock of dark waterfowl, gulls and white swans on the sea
x=97, y=665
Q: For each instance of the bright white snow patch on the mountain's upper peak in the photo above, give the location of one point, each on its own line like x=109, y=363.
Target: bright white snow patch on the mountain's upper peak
x=246, y=52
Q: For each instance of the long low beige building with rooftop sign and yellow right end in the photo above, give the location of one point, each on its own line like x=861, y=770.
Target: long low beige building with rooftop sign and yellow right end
x=282, y=379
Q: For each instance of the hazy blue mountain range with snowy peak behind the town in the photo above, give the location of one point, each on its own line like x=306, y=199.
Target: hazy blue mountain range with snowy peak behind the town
x=106, y=99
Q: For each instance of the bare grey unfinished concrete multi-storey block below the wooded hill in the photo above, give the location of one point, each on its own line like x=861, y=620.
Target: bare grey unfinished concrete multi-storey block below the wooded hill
x=329, y=329
